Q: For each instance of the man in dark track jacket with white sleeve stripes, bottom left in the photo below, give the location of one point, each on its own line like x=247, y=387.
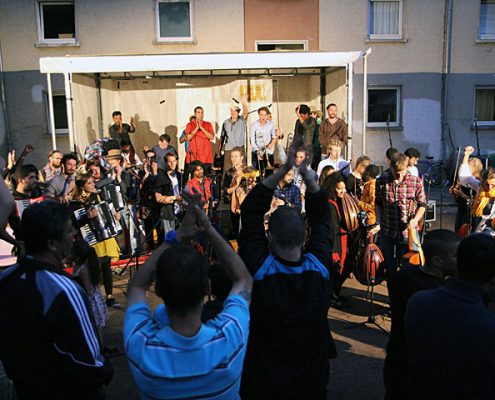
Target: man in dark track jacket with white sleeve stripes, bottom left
x=48, y=341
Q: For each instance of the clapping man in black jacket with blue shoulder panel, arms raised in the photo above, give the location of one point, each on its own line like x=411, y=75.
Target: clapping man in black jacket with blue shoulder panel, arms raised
x=287, y=355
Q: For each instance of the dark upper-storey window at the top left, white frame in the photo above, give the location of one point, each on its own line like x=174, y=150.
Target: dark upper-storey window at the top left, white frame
x=56, y=22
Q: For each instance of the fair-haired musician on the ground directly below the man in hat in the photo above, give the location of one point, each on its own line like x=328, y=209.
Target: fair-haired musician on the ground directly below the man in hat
x=231, y=181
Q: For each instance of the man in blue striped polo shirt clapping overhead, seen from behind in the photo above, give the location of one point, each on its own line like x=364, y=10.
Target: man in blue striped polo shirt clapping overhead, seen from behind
x=171, y=353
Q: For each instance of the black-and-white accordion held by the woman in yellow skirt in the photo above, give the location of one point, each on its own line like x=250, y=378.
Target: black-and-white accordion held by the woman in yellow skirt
x=102, y=227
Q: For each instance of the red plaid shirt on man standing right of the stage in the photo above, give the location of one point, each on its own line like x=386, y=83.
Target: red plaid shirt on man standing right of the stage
x=398, y=201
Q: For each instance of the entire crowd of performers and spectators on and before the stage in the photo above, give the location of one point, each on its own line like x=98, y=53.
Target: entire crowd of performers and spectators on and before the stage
x=300, y=219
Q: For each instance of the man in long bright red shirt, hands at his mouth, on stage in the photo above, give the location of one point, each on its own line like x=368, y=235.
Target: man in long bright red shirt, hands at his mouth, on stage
x=199, y=134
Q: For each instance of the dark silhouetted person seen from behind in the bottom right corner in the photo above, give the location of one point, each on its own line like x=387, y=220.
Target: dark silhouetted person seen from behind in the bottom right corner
x=450, y=331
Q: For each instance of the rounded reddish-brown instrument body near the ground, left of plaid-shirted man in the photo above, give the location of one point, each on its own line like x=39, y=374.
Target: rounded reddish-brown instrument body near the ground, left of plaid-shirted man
x=370, y=266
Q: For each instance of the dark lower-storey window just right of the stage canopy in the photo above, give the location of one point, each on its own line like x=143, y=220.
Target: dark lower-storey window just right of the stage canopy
x=383, y=105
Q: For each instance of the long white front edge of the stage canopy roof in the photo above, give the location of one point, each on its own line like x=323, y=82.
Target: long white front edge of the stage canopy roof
x=196, y=62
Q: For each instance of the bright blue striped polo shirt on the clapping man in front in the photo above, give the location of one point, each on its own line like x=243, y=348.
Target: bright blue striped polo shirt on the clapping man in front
x=167, y=365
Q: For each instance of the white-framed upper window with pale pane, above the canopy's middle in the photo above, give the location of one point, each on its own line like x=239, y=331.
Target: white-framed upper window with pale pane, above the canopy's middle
x=174, y=20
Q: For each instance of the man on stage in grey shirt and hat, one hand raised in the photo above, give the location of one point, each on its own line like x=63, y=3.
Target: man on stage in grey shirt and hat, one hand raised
x=234, y=131
